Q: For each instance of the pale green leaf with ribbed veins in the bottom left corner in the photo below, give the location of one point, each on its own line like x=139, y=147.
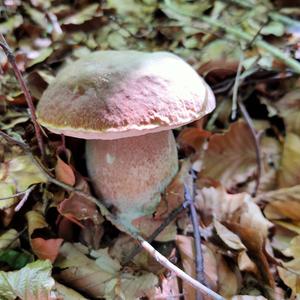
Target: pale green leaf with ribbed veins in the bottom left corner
x=33, y=282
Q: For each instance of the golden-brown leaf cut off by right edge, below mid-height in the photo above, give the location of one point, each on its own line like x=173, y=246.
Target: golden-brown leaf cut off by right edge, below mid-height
x=282, y=203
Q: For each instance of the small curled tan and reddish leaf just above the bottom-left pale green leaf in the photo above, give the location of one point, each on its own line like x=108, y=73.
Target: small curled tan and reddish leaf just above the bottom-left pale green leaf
x=42, y=248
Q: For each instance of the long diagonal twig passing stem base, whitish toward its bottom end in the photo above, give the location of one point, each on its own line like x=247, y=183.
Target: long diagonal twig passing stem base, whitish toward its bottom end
x=123, y=227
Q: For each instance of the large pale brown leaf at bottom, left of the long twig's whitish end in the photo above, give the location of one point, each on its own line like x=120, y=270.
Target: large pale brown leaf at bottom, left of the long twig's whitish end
x=101, y=278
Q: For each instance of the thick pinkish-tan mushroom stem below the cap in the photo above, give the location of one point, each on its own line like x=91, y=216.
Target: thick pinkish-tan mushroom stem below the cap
x=131, y=173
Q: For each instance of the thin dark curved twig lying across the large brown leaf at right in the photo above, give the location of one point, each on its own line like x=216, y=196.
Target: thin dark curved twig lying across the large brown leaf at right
x=256, y=144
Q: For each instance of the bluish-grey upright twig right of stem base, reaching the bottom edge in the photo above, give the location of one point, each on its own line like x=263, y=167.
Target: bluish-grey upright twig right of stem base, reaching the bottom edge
x=197, y=238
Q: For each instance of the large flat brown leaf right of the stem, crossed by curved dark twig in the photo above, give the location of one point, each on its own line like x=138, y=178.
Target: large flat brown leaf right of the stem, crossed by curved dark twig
x=230, y=158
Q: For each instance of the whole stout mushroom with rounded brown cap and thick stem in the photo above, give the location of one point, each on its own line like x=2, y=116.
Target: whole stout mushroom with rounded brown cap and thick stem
x=125, y=104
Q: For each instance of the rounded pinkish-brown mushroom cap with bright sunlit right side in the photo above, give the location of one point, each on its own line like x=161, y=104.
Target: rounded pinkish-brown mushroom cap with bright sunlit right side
x=119, y=94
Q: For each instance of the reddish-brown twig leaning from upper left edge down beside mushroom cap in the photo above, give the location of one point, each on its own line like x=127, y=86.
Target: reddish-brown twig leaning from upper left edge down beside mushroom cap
x=11, y=58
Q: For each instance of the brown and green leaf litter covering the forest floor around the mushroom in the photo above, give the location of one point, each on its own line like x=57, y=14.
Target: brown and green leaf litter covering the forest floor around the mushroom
x=58, y=246
